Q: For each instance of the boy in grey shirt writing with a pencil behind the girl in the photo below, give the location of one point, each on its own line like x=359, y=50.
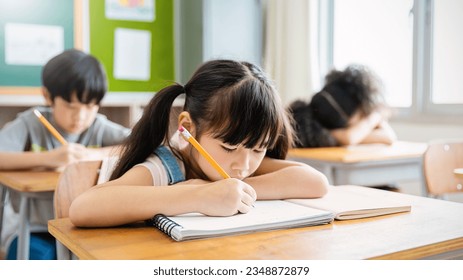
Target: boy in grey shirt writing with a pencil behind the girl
x=74, y=83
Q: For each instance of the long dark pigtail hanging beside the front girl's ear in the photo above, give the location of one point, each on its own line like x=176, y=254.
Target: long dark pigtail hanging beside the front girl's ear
x=151, y=131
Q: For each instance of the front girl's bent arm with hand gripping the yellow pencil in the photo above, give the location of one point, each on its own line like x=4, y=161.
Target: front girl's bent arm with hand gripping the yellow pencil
x=100, y=205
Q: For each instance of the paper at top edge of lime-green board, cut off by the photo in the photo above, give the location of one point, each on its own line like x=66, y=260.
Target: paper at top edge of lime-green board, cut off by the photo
x=130, y=10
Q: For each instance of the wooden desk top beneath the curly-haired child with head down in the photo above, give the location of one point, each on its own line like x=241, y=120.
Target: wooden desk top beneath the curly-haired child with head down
x=364, y=152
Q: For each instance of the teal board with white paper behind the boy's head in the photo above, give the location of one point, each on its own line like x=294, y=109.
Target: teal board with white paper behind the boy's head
x=31, y=32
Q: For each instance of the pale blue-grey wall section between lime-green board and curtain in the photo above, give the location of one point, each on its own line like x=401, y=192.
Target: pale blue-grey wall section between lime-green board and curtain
x=210, y=29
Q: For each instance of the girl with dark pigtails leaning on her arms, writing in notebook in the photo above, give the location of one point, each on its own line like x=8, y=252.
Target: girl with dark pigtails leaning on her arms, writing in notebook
x=235, y=113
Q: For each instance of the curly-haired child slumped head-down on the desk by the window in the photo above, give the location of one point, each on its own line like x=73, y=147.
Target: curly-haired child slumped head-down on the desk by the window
x=349, y=110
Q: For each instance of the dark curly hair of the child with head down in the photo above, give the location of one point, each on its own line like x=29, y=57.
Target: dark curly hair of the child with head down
x=346, y=92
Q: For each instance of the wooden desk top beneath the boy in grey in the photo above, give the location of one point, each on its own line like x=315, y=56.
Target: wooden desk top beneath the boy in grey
x=30, y=181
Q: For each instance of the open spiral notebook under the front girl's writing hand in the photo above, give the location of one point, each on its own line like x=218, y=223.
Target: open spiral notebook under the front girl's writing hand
x=342, y=202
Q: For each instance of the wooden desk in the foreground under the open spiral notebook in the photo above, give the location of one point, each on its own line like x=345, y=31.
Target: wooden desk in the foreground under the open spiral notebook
x=433, y=229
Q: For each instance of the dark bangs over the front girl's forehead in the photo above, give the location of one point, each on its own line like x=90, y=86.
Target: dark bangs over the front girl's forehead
x=242, y=115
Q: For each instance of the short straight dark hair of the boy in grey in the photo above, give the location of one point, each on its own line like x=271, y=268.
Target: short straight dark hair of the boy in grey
x=74, y=71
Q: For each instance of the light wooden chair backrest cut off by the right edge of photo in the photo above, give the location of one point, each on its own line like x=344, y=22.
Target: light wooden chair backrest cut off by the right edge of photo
x=440, y=160
